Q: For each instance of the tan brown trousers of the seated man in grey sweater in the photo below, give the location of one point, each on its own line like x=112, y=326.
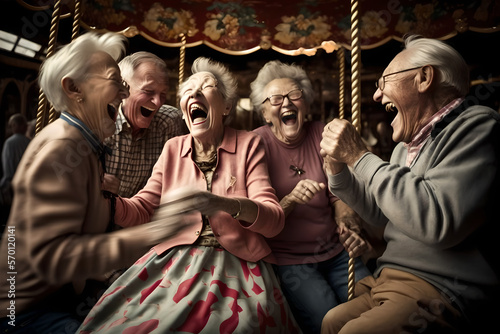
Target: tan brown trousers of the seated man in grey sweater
x=395, y=302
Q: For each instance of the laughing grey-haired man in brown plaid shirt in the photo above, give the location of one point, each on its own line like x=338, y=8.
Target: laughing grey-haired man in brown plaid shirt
x=144, y=123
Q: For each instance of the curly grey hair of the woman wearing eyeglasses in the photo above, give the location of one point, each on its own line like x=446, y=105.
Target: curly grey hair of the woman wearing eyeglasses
x=275, y=69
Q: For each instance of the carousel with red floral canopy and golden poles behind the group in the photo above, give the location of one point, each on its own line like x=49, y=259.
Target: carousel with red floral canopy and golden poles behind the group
x=334, y=39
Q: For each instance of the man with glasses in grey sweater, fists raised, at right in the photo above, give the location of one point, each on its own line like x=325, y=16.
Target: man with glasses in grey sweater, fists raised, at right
x=437, y=198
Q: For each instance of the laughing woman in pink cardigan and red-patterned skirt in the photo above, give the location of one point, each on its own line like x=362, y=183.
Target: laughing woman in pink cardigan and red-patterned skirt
x=214, y=276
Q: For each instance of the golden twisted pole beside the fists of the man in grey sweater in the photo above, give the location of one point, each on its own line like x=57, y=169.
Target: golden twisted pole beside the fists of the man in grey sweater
x=356, y=108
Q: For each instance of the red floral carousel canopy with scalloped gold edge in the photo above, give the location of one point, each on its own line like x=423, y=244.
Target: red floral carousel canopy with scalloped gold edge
x=288, y=26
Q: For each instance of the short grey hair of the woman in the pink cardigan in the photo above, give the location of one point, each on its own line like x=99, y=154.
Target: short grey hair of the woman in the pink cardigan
x=226, y=82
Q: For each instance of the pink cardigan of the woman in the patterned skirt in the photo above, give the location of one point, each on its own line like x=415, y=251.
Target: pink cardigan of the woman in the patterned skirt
x=241, y=172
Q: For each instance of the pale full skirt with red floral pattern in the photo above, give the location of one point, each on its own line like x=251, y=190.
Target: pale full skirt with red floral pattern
x=192, y=289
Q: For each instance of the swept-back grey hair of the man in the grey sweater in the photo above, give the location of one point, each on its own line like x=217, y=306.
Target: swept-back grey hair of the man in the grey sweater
x=453, y=70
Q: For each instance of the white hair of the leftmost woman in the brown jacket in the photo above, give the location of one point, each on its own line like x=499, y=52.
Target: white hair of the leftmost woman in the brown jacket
x=71, y=61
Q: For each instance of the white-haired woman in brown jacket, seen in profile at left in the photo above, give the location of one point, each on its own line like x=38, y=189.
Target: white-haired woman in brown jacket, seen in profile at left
x=56, y=233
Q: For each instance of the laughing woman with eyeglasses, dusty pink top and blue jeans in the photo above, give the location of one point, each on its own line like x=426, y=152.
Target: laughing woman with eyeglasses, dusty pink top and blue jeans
x=320, y=232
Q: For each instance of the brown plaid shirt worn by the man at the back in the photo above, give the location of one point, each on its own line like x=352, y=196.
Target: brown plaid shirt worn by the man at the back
x=132, y=160
